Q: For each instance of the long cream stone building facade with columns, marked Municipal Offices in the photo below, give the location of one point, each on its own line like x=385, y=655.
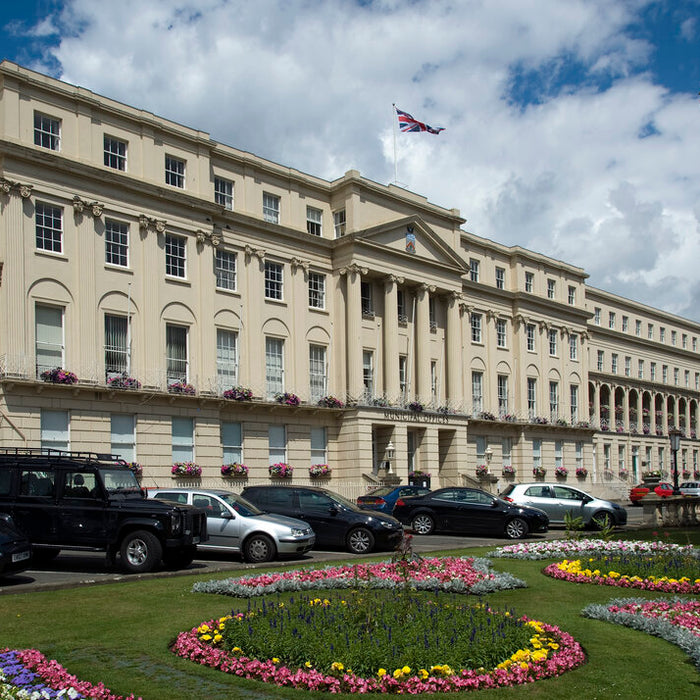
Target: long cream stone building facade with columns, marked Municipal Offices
x=163, y=270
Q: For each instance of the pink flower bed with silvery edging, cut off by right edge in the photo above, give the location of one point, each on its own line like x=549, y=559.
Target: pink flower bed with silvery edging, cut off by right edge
x=676, y=620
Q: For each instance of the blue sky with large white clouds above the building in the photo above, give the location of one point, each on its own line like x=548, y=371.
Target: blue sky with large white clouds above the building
x=572, y=127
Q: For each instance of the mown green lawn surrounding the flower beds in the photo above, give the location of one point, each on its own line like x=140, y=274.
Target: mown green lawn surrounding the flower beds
x=119, y=634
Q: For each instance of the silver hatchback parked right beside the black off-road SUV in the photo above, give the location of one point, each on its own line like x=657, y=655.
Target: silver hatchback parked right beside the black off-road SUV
x=236, y=525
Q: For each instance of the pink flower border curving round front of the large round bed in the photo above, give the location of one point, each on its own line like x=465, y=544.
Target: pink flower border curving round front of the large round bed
x=521, y=667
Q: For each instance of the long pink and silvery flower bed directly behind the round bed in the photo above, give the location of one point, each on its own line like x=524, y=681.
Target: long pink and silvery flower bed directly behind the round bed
x=447, y=574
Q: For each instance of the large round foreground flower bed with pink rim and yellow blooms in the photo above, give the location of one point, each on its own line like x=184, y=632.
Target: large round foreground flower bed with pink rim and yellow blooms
x=541, y=650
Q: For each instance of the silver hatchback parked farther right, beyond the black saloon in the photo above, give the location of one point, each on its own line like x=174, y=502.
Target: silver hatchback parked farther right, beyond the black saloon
x=558, y=499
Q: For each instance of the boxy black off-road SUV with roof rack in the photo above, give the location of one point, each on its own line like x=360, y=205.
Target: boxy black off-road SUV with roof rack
x=87, y=501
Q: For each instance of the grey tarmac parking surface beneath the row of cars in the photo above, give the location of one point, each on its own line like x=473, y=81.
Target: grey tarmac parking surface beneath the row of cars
x=77, y=569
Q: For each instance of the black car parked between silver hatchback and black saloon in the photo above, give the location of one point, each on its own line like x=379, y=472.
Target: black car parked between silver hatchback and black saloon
x=336, y=521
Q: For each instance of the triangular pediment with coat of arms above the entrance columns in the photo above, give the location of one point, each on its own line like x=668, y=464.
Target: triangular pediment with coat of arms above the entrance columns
x=412, y=237
